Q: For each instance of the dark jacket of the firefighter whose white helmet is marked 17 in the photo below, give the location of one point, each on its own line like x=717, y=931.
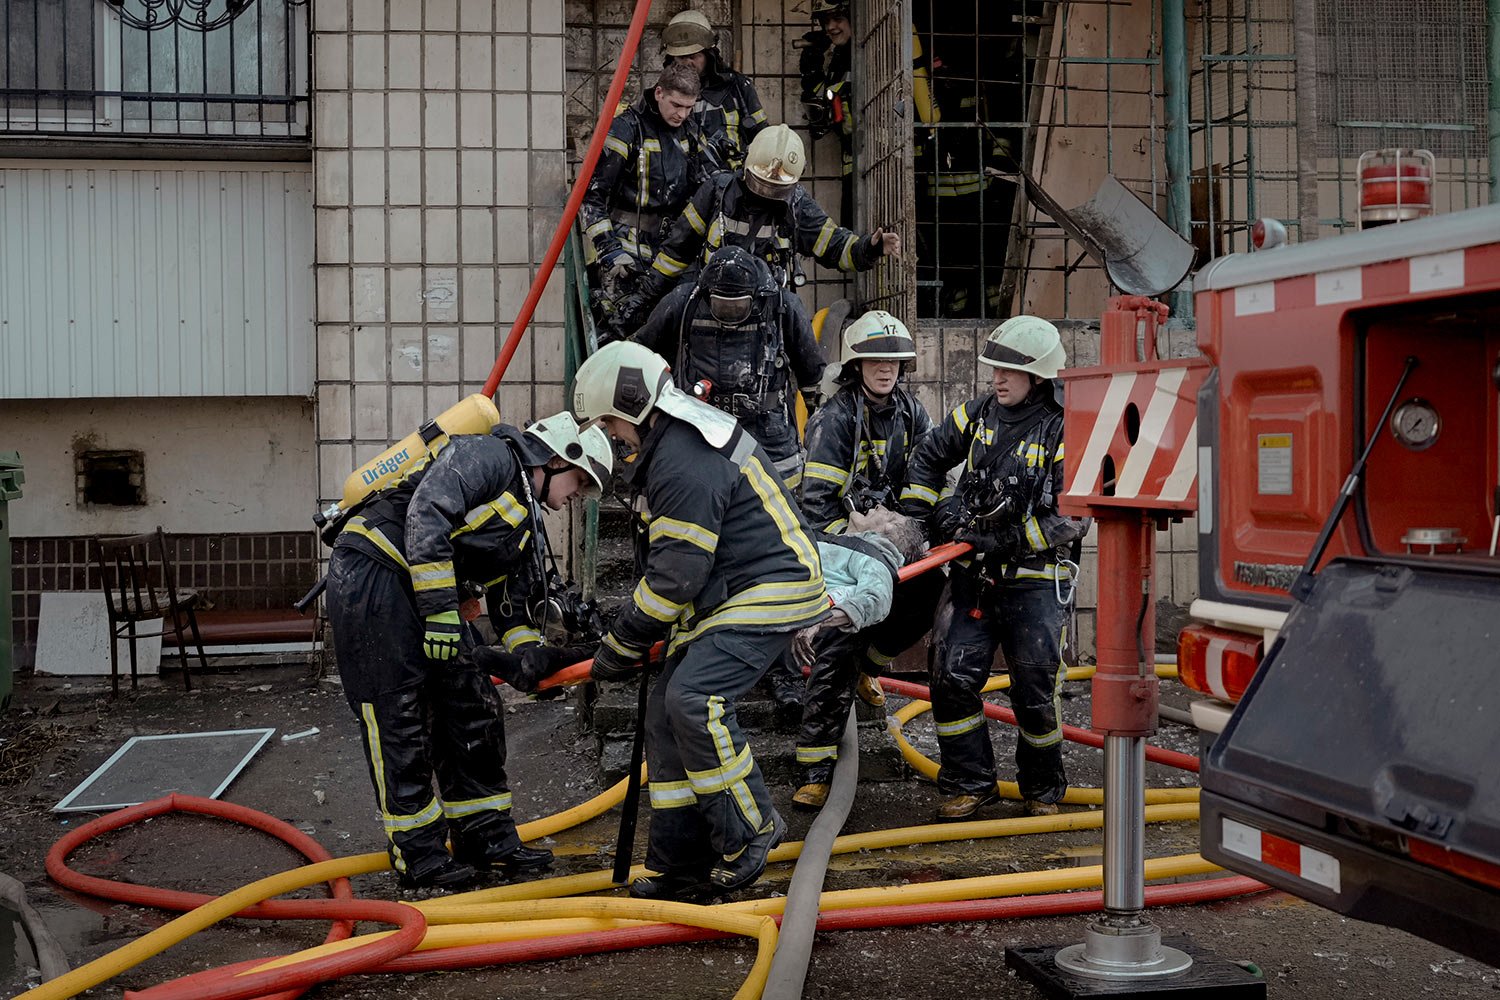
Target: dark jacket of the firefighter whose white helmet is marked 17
x=853, y=446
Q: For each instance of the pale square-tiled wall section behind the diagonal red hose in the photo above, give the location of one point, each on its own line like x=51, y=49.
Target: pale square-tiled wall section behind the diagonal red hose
x=440, y=176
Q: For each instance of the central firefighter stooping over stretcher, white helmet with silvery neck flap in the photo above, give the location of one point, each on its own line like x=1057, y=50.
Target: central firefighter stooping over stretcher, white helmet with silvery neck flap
x=730, y=576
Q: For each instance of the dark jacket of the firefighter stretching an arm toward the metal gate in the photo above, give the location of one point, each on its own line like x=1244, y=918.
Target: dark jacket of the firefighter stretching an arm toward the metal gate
x=724, y=212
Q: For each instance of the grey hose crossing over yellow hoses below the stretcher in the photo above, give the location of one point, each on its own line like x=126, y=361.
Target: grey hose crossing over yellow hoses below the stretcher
x=794, y=947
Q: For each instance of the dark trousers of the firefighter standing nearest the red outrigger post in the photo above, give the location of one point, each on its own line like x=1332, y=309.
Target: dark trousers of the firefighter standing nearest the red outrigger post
x=1027, y=624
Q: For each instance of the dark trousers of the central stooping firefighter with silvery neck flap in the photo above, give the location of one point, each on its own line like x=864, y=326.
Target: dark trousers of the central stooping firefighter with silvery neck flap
x=707, y=795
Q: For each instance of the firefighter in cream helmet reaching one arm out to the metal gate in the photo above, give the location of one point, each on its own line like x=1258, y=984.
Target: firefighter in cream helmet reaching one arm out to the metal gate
x=763, y=209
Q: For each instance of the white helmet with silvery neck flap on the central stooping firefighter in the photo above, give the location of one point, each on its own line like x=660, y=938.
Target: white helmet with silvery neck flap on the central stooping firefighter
x=628, y=380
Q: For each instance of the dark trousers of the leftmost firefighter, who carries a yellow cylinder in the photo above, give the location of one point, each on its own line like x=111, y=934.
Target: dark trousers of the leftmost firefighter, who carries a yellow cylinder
x=419, y=720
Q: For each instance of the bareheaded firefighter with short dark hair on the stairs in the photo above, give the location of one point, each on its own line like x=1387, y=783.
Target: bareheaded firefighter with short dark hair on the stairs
x=653, y=161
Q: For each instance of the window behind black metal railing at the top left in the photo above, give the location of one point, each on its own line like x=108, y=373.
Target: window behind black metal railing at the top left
x=212, y=71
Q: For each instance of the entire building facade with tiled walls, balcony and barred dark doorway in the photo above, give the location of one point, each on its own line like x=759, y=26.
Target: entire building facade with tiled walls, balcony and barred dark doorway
x=260, y=293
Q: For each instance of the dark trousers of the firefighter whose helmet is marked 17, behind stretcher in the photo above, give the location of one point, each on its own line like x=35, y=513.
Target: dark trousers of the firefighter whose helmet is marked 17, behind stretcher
x=841, y=657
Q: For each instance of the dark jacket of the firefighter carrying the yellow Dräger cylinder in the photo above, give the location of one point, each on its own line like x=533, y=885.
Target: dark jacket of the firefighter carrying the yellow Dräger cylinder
x=463, y=519
